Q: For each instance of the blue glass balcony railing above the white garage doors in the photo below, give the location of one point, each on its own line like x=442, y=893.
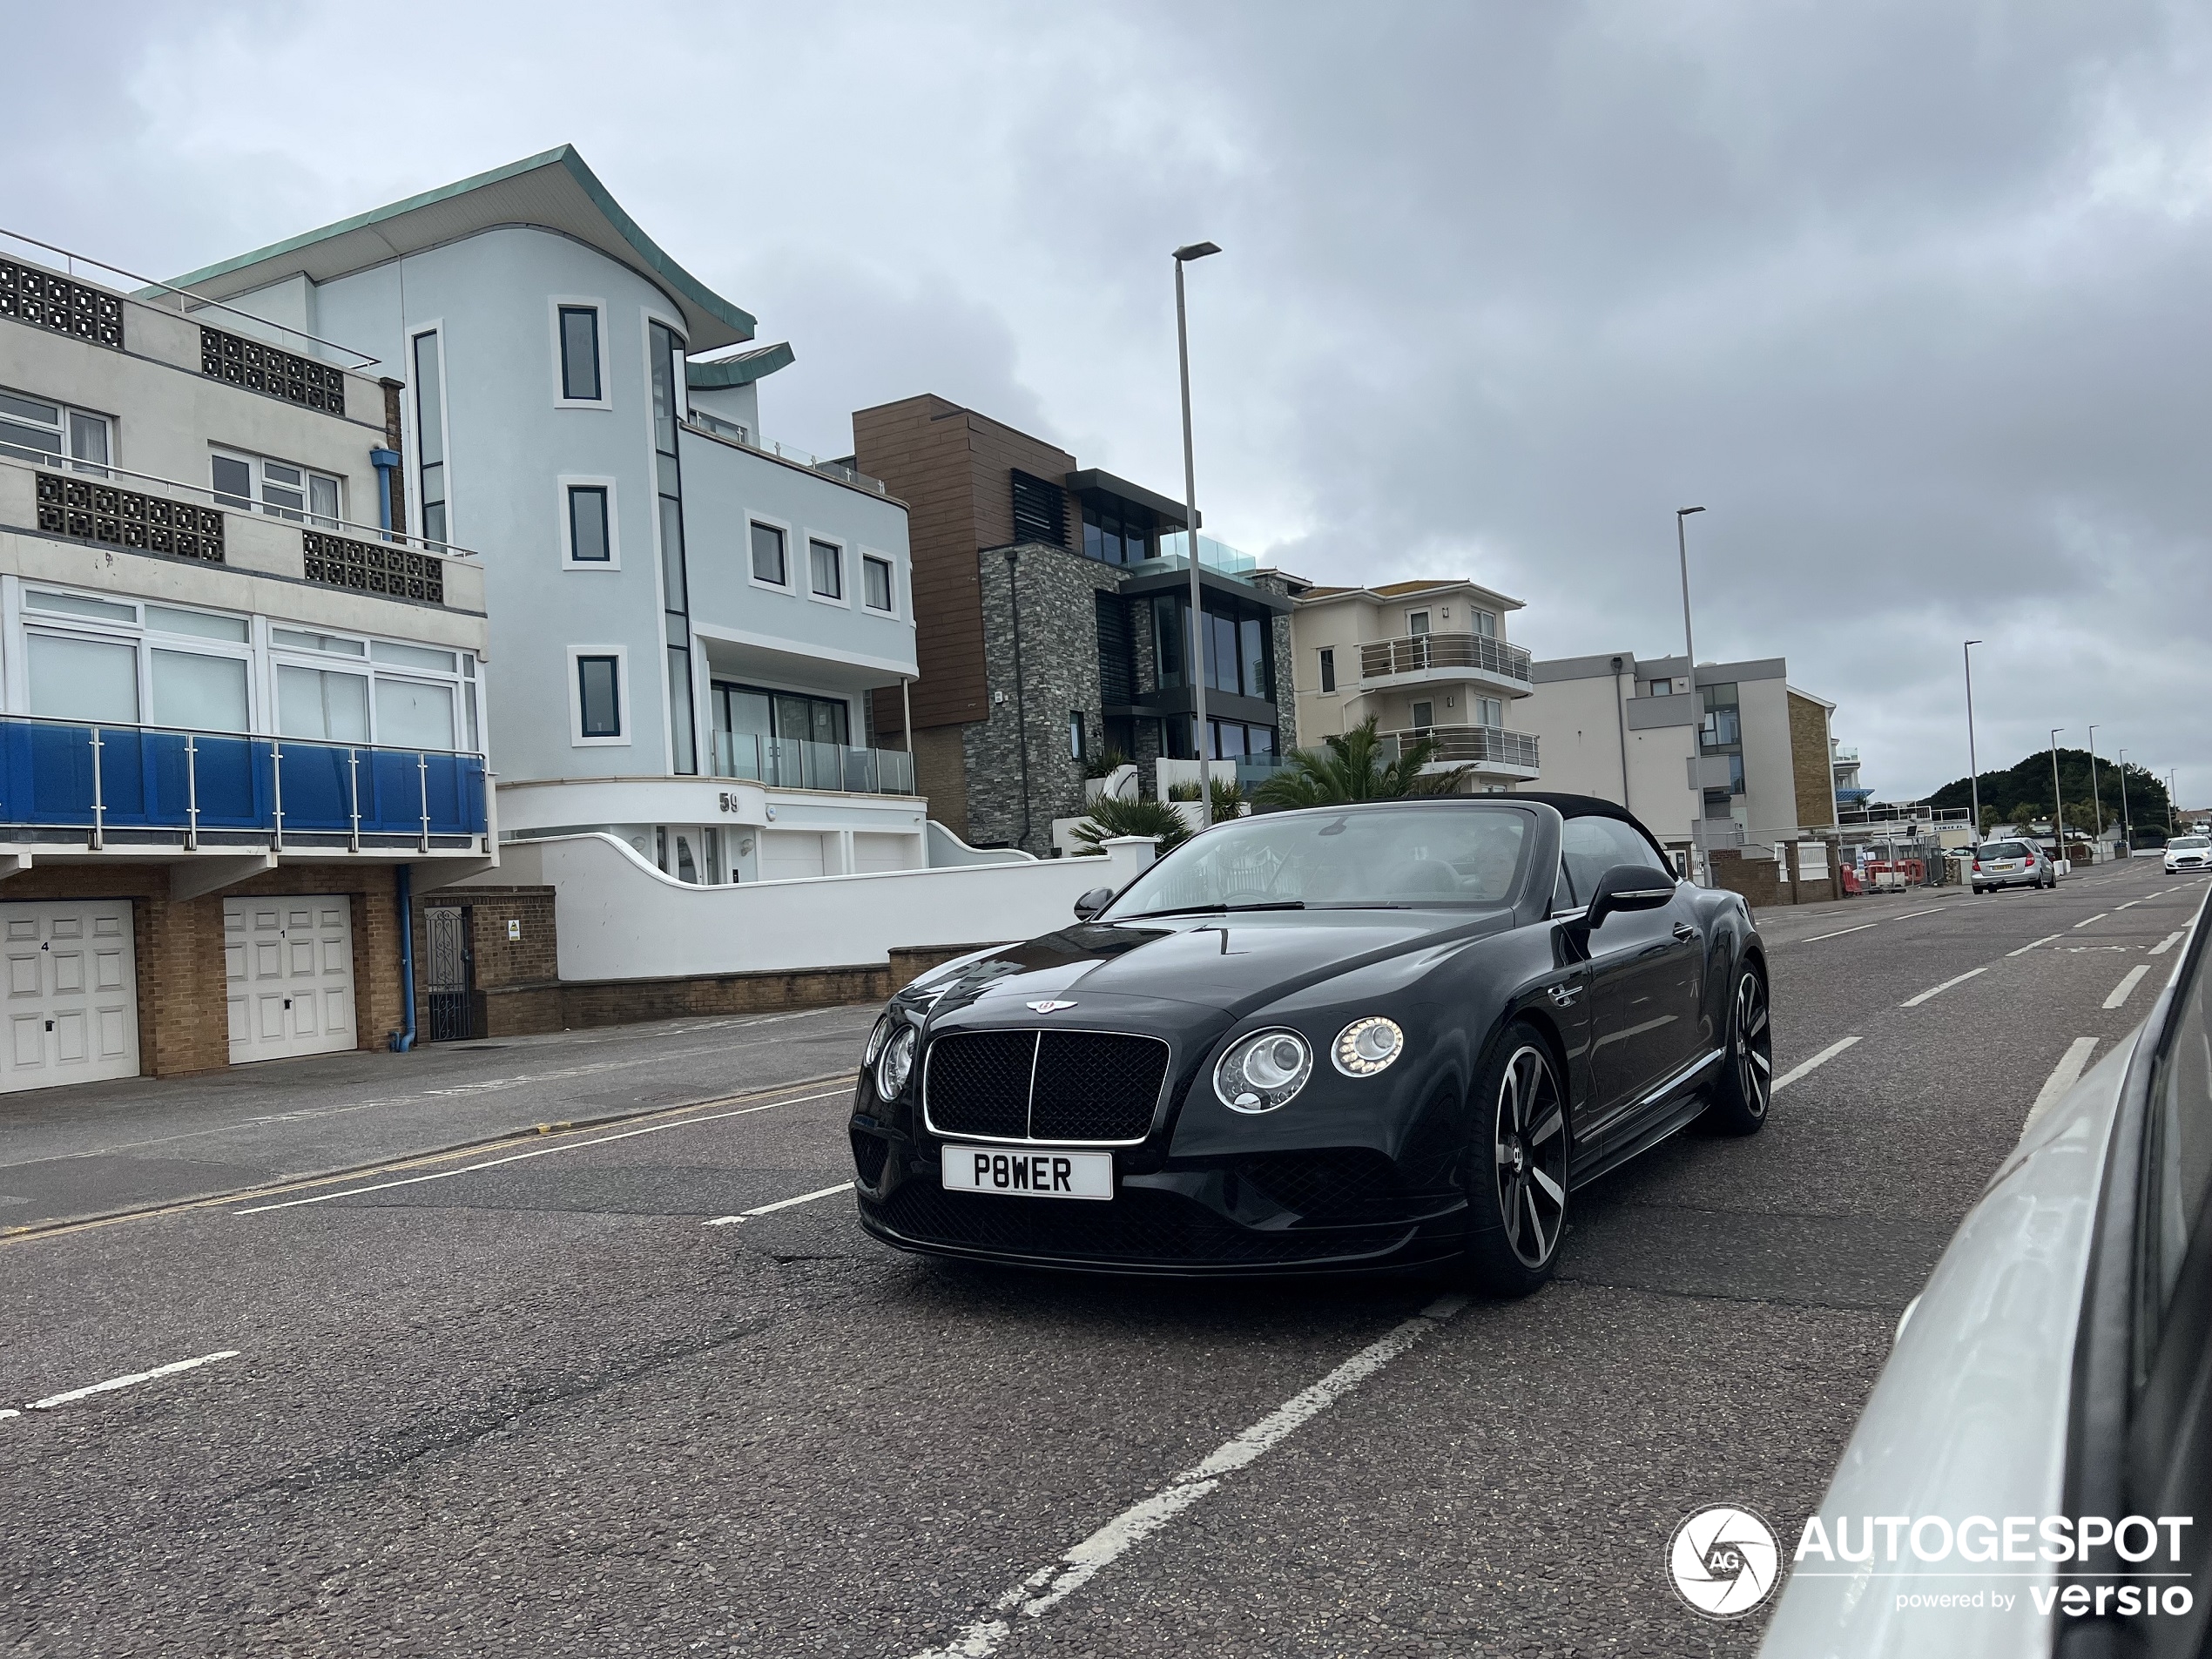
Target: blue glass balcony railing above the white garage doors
x=152, y=784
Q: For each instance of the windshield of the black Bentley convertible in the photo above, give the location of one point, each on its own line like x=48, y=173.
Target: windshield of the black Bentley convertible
x=1368, y=857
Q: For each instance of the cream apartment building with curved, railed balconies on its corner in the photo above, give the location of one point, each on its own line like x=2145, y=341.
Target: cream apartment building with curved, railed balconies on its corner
x=1421, y=660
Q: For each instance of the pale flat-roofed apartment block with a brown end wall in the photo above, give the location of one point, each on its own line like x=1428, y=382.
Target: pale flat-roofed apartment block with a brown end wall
x=1740, y=758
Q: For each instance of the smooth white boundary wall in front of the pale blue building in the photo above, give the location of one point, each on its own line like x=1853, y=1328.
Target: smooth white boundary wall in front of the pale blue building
x=620, y=919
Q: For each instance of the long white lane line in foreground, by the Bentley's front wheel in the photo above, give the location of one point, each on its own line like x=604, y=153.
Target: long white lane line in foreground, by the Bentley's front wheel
x=1052, y=1585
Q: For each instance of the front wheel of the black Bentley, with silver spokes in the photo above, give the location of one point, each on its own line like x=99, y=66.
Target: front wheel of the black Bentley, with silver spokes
x=1516, y=1167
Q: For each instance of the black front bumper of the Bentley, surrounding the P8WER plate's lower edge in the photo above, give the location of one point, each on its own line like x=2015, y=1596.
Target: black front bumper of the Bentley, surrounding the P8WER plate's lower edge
x=1319, y=1211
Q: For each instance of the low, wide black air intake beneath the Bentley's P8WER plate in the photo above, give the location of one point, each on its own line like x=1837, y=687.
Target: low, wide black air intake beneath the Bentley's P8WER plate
x=1140, y=1227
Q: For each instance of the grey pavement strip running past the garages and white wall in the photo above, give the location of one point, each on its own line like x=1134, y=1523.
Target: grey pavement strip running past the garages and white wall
x=101, y=1149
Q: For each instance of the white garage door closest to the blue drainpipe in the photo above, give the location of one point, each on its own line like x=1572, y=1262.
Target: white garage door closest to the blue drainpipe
x=291, y=968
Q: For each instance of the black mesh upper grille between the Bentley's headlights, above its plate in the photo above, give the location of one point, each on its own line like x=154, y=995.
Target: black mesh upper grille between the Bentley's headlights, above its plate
x=1043, y=1085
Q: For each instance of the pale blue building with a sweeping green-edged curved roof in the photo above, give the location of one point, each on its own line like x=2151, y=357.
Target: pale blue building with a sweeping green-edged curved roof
x=689, y=620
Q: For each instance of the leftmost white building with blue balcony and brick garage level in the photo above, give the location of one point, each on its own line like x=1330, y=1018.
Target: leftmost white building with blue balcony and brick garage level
x=238, y=709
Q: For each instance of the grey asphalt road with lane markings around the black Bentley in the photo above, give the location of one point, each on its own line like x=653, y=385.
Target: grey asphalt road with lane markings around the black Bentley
x=528, y=1401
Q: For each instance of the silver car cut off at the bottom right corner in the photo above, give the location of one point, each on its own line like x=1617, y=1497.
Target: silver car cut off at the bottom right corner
x=2038, y=1452
